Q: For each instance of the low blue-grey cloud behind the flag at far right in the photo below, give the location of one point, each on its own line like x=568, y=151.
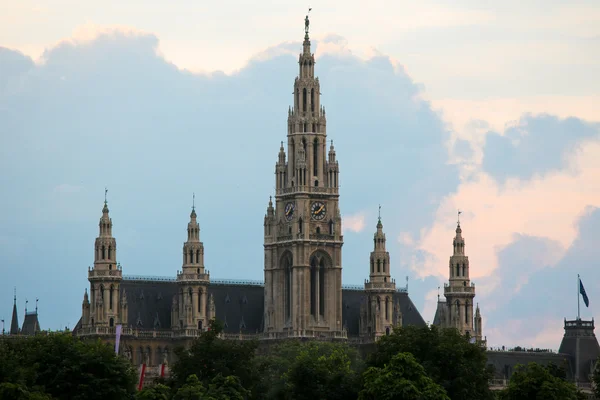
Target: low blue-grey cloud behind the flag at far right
x=547, y=295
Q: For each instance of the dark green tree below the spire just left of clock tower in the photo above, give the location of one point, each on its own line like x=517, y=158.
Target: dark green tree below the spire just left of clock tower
x=209, y=356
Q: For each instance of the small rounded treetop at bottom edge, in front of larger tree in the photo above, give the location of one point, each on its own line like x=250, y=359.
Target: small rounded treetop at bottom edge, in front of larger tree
x=402, y=379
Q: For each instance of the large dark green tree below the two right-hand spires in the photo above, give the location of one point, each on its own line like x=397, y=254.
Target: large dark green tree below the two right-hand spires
x=447, y=357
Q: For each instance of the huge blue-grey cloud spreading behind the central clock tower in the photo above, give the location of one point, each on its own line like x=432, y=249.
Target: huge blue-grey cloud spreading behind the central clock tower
x=108, y=110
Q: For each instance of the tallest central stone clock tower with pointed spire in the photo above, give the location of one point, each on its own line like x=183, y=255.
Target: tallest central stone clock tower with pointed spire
x=303, y=229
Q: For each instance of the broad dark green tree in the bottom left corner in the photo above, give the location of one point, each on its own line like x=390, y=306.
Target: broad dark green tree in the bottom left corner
x=66, y=367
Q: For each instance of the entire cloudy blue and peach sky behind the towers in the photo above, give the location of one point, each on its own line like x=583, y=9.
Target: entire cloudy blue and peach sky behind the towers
x=487, y=107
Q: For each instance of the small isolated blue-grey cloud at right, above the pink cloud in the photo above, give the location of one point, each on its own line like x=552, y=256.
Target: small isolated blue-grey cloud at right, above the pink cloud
x=536, y=146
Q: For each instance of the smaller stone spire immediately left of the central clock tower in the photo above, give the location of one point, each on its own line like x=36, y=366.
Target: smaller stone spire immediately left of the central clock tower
x=192, y=280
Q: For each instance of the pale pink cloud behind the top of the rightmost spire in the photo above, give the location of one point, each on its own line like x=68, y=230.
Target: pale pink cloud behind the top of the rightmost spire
x=547, y=206
